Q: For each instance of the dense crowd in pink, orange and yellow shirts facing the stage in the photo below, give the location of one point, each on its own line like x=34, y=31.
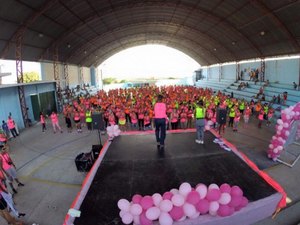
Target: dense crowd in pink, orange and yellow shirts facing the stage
x=133, y=108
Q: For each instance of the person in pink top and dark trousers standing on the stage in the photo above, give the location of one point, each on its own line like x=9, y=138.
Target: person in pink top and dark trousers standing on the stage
x=160, y=116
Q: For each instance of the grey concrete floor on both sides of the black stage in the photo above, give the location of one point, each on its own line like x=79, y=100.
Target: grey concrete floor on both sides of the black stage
x=45, y=163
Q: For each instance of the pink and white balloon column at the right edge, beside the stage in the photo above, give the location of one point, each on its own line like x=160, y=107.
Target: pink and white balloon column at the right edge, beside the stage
x=283, y=127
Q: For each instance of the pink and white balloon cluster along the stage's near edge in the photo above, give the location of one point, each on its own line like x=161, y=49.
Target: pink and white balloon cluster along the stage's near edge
x=180, y=204
